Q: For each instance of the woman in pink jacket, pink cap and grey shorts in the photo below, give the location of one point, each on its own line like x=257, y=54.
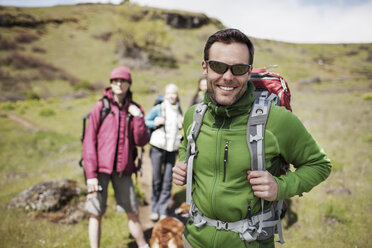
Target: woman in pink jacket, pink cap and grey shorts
x=108, y=153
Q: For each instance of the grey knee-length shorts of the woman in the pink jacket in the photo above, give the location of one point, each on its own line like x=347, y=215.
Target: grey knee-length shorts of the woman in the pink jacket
x=125, y=195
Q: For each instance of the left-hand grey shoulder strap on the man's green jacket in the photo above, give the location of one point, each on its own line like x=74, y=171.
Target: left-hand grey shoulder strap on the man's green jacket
x=192, y=150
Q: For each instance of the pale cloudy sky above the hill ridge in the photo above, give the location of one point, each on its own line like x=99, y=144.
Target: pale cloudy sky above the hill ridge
x=300, y=21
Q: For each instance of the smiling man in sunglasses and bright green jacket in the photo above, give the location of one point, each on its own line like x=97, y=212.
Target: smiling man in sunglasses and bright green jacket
x=224, y=188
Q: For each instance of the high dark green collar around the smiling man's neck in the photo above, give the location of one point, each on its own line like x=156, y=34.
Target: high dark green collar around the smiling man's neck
x=243, y=105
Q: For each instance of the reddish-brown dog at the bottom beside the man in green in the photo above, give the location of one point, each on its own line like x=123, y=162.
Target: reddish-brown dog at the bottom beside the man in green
x=167, y=233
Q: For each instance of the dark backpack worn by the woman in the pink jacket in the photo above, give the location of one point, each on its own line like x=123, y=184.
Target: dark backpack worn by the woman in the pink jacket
x=105, y=110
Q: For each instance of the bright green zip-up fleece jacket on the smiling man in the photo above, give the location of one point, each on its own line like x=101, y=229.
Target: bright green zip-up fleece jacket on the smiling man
x=221, y=190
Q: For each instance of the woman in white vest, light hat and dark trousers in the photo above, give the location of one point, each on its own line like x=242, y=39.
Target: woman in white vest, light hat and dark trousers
x=166, y=118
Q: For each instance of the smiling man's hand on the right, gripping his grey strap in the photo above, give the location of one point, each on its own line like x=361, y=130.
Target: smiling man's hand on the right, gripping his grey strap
x=263, y=185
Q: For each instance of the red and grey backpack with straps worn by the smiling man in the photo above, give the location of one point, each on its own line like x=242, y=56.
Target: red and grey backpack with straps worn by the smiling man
x=271, y=88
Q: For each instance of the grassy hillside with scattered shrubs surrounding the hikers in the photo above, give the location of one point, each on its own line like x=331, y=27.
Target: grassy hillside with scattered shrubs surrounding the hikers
x=64, y=58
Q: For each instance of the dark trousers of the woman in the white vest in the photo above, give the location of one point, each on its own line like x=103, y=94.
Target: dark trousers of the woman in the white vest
x=162, y=164
